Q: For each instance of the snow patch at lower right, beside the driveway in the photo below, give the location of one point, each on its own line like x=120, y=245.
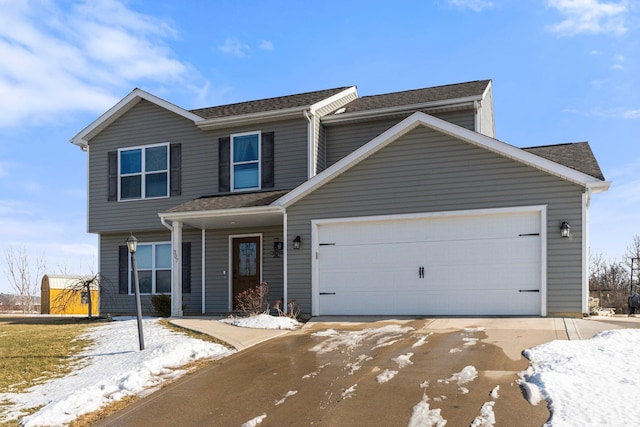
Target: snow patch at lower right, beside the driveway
x=590, y=382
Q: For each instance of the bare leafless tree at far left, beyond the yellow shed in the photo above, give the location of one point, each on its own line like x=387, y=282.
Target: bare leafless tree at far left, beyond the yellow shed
x=24, y=274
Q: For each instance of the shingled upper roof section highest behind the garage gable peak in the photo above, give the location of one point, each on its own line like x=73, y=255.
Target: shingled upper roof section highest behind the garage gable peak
x=418, y=96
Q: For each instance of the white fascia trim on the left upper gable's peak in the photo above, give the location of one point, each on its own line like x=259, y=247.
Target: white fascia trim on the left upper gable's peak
x=125, y=104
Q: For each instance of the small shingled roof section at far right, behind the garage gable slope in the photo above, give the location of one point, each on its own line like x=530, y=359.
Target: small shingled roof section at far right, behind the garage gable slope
x=577, y=155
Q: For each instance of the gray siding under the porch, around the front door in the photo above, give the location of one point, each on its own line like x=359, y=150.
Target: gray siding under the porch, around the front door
x=217, y=264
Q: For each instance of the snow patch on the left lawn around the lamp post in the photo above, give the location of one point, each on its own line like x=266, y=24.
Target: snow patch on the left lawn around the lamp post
x=110, y=369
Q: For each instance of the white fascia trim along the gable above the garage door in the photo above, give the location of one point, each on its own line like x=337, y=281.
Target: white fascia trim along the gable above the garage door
x=418, y=119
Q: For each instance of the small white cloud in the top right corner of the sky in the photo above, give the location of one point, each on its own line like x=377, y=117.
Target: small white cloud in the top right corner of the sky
x=590, y=17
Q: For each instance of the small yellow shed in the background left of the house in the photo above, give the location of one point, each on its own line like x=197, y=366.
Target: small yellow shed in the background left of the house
x=64, y=294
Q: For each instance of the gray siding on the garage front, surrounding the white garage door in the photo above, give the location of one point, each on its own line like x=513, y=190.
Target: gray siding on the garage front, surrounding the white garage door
x=426, y=171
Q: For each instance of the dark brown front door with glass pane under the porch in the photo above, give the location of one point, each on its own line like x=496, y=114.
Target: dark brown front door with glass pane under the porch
x=246, y=264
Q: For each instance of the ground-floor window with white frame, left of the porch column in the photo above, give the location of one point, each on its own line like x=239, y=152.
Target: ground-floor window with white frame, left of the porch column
x=154, y=268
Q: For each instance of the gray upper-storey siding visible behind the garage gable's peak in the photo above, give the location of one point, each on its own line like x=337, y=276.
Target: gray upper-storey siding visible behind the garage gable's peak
x=342, y=139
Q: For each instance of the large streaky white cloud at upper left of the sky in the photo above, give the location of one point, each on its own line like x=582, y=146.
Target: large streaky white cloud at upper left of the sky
x=56, y=60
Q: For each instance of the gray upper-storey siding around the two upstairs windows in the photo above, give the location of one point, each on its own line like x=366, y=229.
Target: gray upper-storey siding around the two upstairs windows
x=146, y=124
